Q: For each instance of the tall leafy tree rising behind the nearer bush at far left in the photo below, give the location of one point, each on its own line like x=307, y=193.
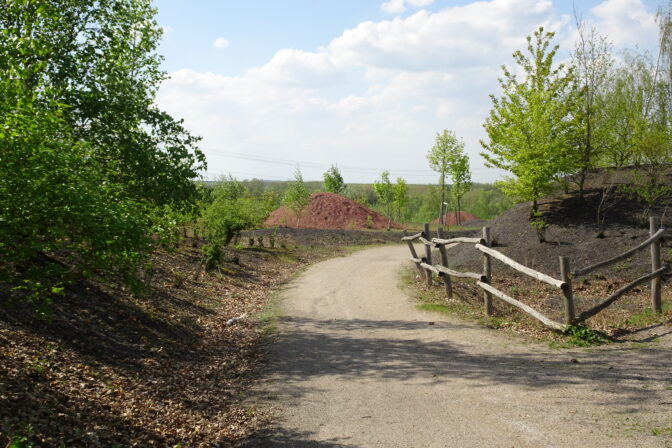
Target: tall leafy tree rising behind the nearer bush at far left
x=98, y=58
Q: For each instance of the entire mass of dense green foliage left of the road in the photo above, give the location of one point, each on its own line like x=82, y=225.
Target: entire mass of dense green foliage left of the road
x=91, y=172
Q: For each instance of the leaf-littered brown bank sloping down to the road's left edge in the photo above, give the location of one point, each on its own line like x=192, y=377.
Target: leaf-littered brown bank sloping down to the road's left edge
x=111, y=369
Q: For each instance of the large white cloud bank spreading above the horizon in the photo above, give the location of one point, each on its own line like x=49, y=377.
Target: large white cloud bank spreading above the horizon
x=376, y=95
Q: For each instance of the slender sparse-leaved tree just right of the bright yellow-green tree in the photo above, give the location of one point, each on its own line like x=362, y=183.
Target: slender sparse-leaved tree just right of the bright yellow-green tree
x=592, y=62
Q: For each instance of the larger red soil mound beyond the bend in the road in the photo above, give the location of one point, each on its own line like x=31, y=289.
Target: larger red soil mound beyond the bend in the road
x=330, y=211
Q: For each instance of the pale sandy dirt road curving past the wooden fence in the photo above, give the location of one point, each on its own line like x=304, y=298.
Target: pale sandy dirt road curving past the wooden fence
x=356, y=365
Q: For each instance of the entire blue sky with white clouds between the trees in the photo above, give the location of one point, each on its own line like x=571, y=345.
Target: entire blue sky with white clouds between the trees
x=272, y=85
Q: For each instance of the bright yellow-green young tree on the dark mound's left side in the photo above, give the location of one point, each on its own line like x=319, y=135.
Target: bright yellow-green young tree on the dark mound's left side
x=529, y=127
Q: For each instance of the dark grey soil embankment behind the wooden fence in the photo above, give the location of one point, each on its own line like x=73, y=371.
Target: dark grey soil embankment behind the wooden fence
x=572, y=232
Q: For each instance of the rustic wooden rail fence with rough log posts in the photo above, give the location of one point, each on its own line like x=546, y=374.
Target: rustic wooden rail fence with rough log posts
x=484, y=279
